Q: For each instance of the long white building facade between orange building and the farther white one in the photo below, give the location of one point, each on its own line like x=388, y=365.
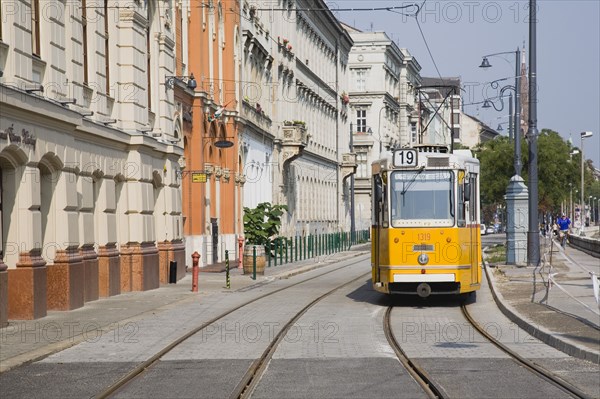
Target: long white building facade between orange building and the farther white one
x=296, y=139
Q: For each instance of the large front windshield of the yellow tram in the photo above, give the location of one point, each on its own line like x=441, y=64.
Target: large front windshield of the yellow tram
x=422, y=198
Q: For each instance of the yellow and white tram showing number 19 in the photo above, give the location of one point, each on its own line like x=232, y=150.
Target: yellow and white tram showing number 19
x=425, y=222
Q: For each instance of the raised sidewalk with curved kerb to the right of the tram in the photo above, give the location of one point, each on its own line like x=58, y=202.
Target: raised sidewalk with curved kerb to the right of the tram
x=566, y=315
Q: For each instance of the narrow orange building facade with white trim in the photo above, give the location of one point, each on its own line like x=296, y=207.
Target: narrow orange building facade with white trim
x=212, y=174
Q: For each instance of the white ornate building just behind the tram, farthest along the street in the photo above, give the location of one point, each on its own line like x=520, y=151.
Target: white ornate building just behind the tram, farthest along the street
x=382, y=106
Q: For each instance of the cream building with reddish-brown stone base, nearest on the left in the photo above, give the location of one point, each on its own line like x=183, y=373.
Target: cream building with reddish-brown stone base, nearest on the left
x=89, y=151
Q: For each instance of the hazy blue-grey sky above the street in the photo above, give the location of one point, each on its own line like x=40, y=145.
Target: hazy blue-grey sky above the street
x=459, y=33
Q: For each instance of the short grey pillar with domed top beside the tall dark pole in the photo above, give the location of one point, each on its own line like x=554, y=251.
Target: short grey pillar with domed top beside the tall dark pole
x=517, y=221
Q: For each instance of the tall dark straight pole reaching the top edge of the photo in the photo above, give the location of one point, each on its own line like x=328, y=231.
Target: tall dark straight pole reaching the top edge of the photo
x=533, y=235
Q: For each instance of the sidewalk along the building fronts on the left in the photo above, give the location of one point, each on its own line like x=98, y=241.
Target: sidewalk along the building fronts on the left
x=24, y=341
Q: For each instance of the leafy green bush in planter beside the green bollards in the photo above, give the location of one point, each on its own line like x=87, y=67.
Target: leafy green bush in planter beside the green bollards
x=261, y=226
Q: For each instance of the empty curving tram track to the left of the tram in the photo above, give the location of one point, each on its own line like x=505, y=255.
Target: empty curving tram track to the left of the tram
x=250, y=378
